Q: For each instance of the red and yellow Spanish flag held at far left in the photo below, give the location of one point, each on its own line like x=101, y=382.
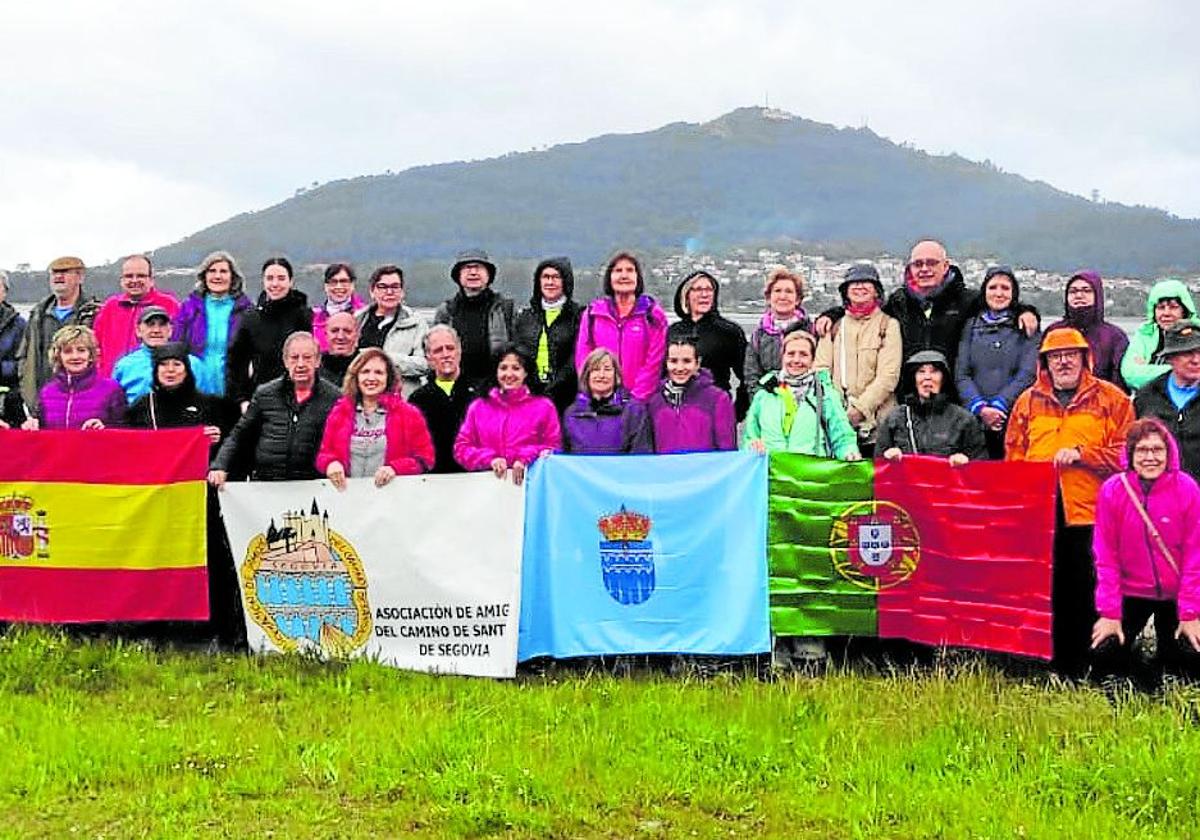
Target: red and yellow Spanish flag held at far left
x=103, y=526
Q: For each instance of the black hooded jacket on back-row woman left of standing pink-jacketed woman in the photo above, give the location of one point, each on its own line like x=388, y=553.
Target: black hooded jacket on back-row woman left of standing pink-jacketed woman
x=561, y=337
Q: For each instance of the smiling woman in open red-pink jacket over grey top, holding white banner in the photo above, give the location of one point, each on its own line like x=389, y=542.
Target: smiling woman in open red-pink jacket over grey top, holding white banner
x=371, y=431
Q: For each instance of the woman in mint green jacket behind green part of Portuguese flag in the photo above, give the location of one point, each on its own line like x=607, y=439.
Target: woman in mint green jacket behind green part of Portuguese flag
x=797, y=410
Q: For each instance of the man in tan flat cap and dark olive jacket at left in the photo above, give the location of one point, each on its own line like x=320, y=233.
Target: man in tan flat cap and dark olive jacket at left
x=65, y=307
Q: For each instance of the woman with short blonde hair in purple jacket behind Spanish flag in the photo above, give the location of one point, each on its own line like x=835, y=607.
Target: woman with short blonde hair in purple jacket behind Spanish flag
x=77, y=397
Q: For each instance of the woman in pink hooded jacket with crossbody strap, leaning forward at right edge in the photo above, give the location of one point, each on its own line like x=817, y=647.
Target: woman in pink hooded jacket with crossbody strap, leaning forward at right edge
x=1147, y=547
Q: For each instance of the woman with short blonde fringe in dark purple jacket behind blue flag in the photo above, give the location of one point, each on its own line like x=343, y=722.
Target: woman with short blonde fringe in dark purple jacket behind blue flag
x=605, y=419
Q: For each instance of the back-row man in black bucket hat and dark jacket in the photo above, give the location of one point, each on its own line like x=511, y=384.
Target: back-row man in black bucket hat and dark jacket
x=482, y=317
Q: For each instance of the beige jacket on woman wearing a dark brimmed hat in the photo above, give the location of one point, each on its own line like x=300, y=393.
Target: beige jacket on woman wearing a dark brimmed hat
x=863, y=357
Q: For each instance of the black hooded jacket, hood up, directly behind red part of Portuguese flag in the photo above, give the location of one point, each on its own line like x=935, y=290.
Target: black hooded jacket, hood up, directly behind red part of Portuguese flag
x=938, y=427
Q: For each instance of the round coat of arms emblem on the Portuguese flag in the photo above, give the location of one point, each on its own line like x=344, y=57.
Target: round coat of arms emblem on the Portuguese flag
x=875, y=545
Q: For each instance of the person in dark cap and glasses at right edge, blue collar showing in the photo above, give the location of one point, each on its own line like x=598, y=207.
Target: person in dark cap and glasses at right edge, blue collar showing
x=1172, y=397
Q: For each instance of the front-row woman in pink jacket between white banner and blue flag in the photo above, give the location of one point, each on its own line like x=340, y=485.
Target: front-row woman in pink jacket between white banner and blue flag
x=509, y=428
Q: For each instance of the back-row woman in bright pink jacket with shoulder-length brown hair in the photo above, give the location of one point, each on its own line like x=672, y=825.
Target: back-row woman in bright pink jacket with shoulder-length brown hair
x=629, y=323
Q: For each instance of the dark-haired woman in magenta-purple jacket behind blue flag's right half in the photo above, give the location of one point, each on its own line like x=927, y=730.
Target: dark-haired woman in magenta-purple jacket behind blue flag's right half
x=689, y=413
